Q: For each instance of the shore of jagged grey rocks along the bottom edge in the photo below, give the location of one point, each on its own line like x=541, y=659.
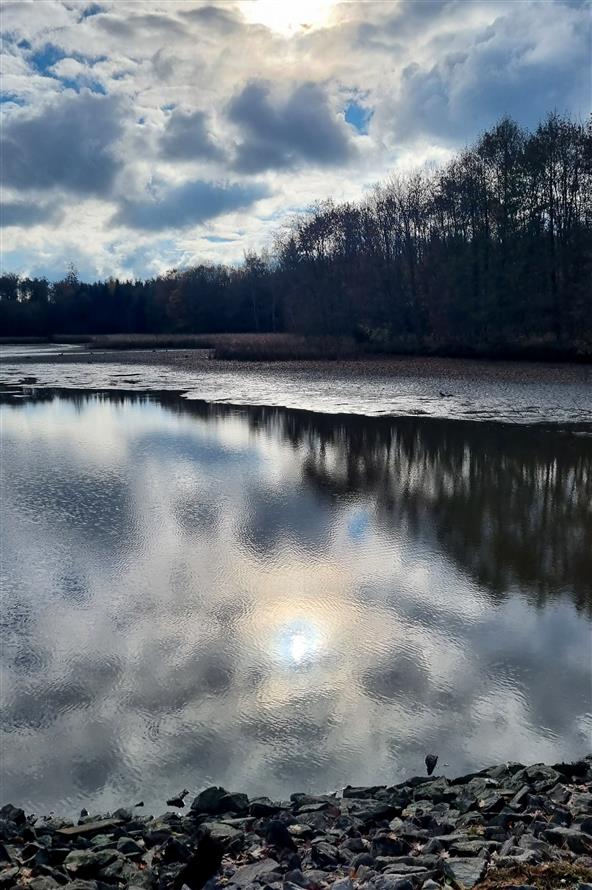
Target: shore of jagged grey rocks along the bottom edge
x=506, y=826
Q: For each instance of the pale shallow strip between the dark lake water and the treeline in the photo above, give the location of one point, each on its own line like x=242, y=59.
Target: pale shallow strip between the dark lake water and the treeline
x=518, y=393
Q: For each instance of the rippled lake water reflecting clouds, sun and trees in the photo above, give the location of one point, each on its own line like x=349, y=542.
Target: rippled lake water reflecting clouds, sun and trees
x=277, y=600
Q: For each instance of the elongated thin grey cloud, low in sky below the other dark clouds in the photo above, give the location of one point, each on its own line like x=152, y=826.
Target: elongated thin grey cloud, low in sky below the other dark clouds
x=187, y=204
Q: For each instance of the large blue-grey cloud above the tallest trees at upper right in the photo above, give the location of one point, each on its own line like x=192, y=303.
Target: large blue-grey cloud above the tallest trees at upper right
x=500, y=69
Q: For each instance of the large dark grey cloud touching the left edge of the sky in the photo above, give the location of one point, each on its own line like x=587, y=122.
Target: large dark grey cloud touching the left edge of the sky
x=67, y=145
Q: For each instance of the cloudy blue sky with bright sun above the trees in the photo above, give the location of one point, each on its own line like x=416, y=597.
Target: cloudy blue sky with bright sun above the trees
x=142, y=136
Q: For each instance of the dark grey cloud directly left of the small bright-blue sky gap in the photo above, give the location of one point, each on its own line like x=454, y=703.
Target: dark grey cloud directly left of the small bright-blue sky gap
x=298, y=130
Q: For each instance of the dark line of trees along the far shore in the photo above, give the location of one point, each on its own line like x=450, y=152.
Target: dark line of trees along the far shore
x=491, y=252
